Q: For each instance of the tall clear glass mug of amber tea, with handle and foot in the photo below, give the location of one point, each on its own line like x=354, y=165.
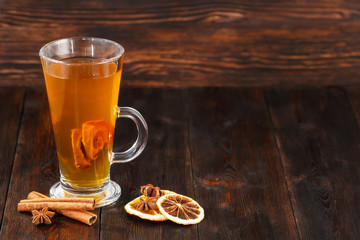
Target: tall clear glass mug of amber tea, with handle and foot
x=82, y=78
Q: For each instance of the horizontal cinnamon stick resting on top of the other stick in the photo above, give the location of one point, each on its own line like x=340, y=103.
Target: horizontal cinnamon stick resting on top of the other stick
x=28, y=206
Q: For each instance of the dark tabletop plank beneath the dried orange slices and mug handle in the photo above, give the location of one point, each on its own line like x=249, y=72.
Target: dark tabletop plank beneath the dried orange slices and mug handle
x=165, y=163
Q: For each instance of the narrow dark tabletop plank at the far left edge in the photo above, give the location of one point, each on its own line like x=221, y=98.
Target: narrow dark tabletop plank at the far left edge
x=11, y=104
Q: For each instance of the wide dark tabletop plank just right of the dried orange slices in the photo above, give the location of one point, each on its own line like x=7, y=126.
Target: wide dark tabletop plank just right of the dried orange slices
x=238, y=175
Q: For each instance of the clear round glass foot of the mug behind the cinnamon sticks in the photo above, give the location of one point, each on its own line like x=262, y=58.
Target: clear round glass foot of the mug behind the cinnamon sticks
x=106, y=195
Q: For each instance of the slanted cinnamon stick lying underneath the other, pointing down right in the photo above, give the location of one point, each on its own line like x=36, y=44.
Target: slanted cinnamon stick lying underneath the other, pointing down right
x=86, y=217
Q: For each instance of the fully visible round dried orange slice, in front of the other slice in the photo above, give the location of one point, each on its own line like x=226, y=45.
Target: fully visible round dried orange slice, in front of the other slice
x=180, y=209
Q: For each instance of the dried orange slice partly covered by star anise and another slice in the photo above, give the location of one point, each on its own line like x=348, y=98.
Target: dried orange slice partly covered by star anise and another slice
x=152, y=215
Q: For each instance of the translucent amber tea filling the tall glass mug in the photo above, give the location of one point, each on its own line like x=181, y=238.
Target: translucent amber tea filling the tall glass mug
x=79, y=93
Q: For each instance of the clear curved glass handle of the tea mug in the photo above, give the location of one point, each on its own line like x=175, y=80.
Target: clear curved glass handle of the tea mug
x=136, y=149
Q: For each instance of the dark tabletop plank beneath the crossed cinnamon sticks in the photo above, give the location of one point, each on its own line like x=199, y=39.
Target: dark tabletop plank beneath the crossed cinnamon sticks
x=36, y=168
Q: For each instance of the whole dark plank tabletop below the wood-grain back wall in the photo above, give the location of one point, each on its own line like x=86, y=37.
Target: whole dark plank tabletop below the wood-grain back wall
x=277, y=164
